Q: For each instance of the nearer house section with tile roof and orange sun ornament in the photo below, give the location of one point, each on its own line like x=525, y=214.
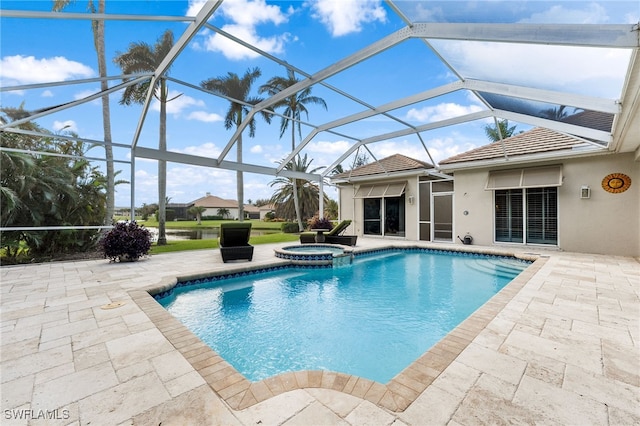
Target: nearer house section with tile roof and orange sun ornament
x=548, y=189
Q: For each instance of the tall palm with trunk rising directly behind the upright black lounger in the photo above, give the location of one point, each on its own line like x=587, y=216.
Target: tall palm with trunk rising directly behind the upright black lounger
x=237, y=89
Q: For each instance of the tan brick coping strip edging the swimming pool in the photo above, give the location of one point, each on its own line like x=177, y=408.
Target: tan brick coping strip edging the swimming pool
x=396, y=395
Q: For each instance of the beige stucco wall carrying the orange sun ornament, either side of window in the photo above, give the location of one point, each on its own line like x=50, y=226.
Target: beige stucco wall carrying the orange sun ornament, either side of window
x=604, y=224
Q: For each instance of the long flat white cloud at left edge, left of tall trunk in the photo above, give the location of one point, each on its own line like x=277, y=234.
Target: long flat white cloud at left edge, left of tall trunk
x=21, y=69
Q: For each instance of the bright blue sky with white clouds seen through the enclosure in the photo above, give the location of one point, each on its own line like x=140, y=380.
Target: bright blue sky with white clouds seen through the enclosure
x=310, y=35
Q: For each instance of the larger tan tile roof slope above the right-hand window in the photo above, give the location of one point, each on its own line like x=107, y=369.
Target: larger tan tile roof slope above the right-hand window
x=534, y=141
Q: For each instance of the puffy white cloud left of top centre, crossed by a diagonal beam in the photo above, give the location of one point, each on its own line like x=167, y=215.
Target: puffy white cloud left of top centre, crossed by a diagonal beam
x=245, y=16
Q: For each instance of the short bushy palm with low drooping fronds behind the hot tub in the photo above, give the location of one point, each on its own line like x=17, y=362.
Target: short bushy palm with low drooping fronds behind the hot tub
x=308, y=191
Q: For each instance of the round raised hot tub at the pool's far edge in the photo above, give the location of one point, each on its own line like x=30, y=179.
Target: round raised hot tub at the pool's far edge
x=316, y=254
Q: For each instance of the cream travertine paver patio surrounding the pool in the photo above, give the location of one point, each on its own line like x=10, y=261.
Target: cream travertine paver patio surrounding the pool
x=560, y=345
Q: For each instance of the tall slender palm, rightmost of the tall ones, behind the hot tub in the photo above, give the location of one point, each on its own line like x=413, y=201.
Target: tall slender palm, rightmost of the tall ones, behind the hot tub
x=294, y=106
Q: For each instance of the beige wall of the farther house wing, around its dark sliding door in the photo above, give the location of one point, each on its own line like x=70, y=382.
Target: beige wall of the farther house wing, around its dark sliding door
x=351, y=208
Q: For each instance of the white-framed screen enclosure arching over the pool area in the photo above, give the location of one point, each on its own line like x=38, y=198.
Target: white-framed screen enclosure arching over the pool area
x=420, y=78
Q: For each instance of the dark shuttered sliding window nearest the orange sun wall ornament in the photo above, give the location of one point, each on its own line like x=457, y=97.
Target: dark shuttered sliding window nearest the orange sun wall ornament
x=533, y=209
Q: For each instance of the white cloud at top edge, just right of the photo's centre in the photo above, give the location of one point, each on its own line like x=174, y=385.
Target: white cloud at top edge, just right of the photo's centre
x=347, y=16
